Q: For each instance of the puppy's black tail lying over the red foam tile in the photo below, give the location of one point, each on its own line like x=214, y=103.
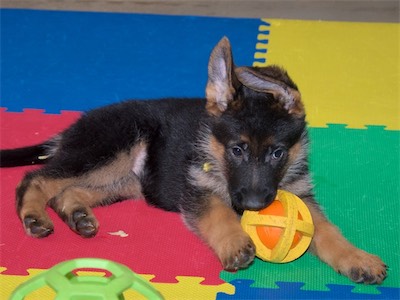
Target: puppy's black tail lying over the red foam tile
x=32, y=155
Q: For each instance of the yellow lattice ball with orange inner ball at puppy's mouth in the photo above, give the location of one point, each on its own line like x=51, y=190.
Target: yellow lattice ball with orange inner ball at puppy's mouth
x=283, y=231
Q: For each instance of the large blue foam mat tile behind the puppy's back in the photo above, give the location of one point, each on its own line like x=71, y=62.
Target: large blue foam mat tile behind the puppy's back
x=59, y=60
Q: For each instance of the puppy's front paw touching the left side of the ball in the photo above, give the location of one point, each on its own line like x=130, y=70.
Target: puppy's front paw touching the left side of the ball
x=238, y=252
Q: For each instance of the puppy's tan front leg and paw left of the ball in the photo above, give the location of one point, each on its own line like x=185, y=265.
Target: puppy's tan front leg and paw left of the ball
x=218, y=225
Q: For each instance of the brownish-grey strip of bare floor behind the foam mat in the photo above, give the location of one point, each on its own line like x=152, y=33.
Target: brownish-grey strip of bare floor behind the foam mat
x=340, y=10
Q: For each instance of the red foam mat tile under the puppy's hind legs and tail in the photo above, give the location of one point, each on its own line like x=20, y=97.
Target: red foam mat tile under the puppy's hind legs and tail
x=157, y=243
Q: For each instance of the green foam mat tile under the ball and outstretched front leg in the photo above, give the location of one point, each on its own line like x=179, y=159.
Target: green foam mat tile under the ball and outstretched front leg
x=356, y=176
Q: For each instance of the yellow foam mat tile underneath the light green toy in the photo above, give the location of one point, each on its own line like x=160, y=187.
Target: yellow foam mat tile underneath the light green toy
x=187, y=287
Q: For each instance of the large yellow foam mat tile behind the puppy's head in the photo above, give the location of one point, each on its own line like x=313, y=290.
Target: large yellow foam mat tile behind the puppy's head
x=348, y=73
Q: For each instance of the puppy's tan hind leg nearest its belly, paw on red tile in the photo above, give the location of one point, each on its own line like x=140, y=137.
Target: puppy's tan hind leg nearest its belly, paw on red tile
x=115, y=181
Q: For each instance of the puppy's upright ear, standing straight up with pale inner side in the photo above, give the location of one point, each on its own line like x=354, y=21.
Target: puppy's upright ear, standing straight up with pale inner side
x=222, y=81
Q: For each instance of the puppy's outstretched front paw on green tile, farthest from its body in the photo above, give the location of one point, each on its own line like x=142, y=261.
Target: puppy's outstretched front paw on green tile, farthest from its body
x=362, y=267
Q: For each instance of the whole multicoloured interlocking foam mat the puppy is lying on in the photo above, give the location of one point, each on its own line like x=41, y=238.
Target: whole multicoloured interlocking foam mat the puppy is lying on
x=54, y=65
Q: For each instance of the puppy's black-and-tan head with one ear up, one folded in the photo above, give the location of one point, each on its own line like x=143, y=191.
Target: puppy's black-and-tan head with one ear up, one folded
x=258, y=121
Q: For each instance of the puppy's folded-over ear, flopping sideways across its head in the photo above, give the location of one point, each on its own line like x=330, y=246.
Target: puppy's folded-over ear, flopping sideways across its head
x=275, y=81
